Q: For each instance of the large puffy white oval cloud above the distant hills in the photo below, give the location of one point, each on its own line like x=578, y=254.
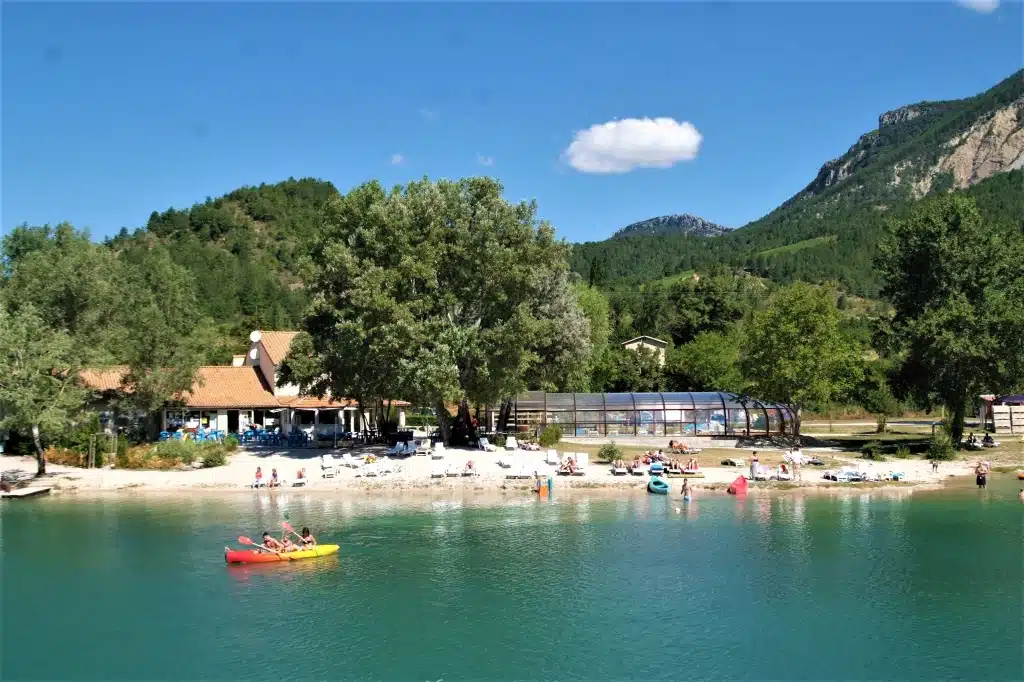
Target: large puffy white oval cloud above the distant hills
x=619, y=147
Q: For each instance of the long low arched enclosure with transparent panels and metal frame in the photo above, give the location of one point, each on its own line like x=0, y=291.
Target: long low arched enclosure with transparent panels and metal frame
x=604, y=415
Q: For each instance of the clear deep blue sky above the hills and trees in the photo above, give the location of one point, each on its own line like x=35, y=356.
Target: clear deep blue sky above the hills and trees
x=112, y=111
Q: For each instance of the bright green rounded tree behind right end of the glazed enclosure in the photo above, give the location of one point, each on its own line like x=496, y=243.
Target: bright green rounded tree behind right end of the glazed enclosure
x=795, y=353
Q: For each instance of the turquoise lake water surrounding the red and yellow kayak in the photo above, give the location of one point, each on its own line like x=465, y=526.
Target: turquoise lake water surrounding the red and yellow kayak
x=916, y=587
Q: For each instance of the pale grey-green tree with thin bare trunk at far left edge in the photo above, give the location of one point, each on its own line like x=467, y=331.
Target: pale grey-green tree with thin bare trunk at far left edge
x=39, y=394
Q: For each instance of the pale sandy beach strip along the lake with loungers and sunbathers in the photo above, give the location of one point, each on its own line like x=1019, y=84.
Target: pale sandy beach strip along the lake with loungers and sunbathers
x=420, y=473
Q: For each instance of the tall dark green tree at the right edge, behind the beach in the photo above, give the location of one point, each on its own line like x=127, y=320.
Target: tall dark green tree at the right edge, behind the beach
x=957, y=286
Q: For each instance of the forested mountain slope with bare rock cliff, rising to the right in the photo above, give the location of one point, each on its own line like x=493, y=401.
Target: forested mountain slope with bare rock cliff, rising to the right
x=975, y=146
